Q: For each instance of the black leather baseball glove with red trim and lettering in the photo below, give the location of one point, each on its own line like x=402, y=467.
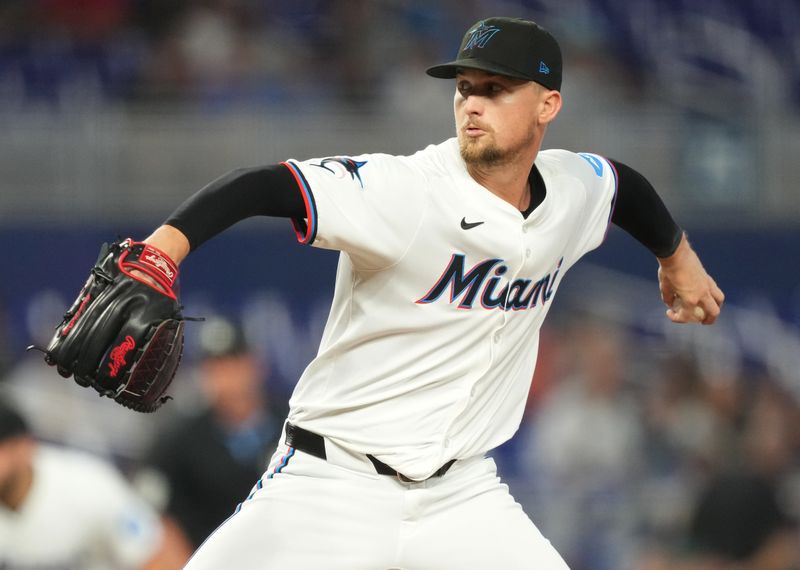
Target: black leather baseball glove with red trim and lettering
x=123, y=335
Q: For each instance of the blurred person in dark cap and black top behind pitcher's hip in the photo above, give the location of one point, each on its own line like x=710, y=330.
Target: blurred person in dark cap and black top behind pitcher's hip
x=204, y=464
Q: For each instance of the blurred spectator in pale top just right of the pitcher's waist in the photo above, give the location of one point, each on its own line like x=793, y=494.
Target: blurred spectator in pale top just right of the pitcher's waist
x=586, y=455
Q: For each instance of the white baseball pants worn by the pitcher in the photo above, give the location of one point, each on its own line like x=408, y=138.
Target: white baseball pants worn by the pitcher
x=308, y=513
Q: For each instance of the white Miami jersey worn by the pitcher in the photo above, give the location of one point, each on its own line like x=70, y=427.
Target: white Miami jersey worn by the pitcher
x=441, y=290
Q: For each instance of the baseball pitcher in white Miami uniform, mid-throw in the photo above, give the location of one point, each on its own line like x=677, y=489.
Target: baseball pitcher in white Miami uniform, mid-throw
x=449, y=261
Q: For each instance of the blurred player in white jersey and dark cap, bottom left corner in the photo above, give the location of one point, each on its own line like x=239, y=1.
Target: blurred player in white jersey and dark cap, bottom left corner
x=61, y=508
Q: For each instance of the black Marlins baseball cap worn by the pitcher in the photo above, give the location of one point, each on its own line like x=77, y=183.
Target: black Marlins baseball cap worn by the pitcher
x=507, y=46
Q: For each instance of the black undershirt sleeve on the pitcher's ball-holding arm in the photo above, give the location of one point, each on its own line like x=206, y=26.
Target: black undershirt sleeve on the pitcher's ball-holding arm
x=640, y=212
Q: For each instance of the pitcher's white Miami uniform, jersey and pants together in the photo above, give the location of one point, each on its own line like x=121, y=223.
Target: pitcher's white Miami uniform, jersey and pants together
x=427, y=356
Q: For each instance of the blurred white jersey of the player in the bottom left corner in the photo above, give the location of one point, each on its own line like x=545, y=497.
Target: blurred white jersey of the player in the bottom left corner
x=79, y=513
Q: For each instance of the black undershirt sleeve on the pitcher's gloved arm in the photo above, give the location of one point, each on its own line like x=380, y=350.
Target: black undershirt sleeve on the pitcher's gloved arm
x=240, y=194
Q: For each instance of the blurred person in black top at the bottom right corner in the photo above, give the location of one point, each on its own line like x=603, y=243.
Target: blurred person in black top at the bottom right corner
x=740, y=519
